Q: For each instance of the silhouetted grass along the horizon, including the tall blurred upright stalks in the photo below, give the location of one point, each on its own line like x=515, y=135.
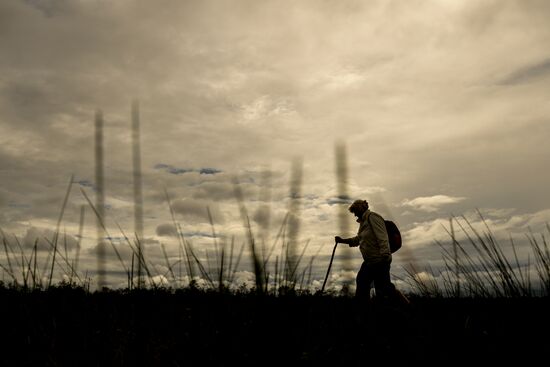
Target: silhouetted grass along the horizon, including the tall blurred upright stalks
x=475, y=264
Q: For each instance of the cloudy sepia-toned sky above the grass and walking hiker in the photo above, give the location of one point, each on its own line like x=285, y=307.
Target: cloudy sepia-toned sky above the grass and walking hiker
x=441, y=108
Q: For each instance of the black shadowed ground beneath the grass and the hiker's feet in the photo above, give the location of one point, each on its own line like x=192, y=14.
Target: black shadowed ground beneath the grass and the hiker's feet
x=67, y=327
